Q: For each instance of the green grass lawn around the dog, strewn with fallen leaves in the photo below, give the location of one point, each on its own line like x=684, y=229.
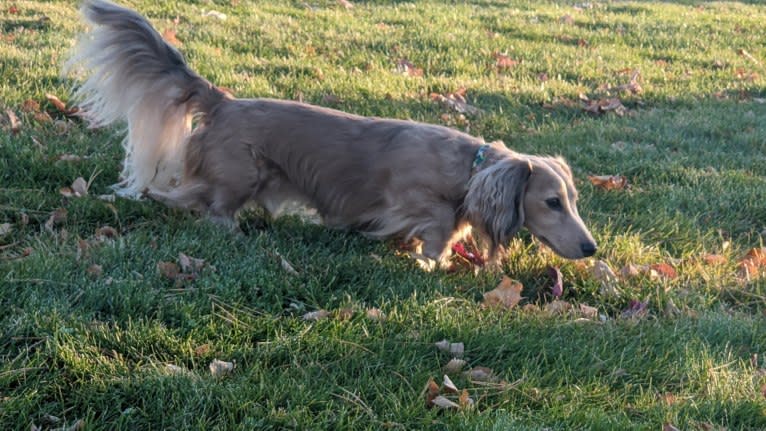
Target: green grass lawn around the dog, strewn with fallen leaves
x=96, y=347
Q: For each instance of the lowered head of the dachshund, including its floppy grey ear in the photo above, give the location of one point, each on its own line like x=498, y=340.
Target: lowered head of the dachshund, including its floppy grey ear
x=534, y=192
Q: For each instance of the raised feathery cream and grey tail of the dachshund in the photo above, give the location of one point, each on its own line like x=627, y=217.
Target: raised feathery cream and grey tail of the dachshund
x=133, y=75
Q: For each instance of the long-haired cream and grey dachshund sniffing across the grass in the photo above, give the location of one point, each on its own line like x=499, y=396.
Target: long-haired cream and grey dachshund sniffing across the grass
x=191, y=145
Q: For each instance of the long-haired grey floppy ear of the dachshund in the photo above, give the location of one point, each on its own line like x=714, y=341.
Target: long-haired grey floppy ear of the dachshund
x=495, y=200
